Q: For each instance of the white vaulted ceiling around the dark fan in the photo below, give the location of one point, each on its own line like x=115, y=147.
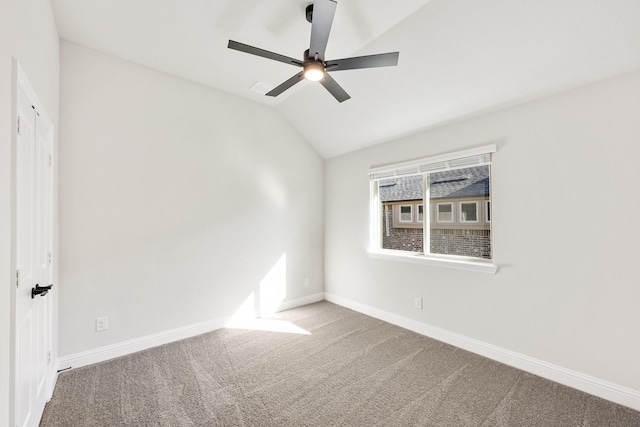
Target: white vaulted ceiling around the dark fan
x=457, y=57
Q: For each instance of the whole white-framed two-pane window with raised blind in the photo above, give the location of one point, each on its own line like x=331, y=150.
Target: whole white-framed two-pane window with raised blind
x=446, y=193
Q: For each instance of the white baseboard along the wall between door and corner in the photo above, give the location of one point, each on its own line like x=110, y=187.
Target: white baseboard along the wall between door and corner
x=138, y=344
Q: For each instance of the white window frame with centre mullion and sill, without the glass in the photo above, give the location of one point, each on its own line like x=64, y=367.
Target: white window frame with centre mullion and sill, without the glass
x=447, y=161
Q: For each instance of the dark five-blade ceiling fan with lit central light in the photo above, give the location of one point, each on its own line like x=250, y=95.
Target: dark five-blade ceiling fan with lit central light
x=314, y=67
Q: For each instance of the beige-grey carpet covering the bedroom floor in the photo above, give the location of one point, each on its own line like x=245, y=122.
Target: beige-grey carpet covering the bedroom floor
x=350, y=370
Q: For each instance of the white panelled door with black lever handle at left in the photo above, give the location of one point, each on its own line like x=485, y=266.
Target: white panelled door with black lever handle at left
x=33, y=263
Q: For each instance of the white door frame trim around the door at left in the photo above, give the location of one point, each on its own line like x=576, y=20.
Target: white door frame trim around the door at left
x=21, y=82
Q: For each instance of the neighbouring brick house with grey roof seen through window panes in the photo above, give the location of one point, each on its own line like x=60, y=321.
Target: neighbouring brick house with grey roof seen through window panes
x=459, y=208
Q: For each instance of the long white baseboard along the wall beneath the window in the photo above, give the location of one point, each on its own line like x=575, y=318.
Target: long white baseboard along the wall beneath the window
x=591, y=385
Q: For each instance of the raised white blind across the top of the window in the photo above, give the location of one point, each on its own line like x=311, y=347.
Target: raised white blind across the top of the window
x=443, y=162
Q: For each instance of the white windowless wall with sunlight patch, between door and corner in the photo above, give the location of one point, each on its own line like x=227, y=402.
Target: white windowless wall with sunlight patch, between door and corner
x=176, y=202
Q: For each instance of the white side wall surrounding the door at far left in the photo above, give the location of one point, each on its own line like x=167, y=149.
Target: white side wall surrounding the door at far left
x=28, y=34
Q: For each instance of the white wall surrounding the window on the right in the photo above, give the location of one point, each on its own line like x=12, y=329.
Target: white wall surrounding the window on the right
x=565, y=201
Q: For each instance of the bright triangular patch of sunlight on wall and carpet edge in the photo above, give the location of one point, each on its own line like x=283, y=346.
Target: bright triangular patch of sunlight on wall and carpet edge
x=258, y=311
